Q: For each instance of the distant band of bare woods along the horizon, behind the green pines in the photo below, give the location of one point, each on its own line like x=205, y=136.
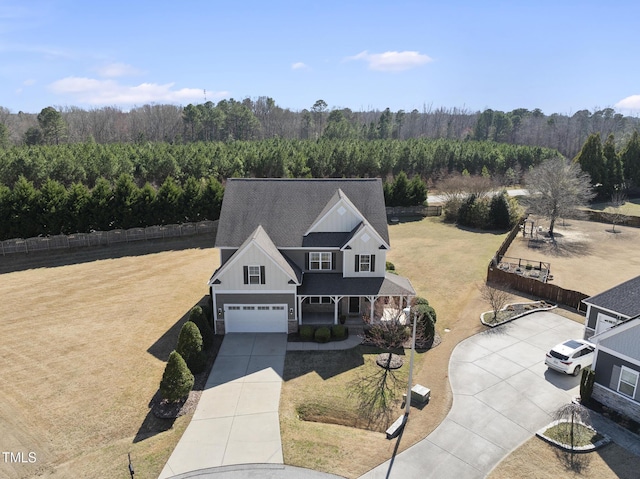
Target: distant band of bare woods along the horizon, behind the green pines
x=262, y=118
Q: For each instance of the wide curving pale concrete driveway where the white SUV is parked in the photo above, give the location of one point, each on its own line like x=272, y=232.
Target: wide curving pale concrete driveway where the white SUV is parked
x=502, y=394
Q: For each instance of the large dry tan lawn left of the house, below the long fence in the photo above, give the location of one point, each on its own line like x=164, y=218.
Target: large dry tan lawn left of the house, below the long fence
x=83, y=349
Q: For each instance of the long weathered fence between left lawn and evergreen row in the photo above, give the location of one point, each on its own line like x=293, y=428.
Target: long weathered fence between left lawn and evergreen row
x=104, y=238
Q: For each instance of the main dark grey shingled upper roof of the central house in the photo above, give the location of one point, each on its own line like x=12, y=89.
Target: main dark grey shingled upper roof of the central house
x=287, y=208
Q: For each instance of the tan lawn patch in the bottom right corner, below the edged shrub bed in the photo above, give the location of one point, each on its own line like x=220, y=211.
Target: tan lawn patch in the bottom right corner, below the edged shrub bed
x=536, y=459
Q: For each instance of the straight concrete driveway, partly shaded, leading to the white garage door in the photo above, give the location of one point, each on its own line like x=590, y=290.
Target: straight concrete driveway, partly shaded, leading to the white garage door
x=236, y=421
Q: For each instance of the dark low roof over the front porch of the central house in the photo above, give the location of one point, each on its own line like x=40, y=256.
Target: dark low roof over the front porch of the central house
x=328, y=284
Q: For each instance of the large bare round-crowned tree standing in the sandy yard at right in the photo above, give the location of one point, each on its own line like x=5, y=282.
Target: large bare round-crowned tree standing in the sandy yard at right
x=557, y=188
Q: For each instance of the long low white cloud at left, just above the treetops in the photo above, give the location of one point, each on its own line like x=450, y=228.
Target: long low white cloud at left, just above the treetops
x=110, y=92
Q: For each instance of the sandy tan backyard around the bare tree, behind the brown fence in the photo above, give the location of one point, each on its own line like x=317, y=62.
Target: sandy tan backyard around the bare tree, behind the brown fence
x=587, y=258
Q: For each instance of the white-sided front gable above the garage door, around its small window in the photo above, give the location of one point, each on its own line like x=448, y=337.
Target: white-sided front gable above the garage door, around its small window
x=233, y=278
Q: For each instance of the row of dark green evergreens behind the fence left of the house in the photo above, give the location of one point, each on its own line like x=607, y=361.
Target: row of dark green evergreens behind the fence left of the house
x=27, y=211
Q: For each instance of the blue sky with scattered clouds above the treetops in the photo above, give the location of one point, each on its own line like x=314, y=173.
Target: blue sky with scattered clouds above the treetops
x=560, y=56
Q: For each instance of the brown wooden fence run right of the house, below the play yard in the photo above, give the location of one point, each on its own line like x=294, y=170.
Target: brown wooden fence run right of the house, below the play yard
x=533, y=287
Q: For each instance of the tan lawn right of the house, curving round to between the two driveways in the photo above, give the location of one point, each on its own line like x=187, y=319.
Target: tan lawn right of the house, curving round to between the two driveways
x=445, y=265
